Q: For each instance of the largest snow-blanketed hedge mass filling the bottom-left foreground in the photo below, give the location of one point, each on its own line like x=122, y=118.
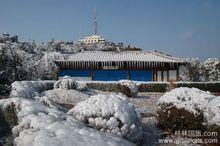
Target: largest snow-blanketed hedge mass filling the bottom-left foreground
x=39, y=125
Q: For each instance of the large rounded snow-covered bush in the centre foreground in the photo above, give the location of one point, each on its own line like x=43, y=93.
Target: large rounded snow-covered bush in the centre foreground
x=110, y=113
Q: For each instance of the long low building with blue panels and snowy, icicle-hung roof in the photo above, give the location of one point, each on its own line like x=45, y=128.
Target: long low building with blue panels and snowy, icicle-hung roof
x=113, y=66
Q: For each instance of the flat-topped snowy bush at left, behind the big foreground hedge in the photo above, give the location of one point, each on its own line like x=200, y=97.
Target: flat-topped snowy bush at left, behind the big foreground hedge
x=29, y=89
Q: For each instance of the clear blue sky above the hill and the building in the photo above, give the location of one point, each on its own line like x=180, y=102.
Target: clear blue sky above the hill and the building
x=187, y=28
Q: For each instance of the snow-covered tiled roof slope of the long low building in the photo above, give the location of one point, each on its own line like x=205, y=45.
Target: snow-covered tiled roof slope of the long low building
x=104, y=56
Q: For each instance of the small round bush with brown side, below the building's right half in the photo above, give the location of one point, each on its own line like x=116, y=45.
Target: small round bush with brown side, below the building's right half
x=128, y=88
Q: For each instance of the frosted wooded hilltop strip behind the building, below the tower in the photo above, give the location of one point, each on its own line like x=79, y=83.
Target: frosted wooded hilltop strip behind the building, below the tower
x=65, y=46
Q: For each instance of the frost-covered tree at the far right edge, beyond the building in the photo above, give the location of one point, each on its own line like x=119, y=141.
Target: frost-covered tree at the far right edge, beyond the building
x=211, y=69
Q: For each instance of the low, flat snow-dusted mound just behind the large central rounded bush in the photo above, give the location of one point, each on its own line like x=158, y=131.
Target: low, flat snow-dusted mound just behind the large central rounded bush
x=64, y=96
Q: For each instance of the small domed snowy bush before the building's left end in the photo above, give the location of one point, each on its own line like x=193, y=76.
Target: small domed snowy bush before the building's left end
x=66, y=83
